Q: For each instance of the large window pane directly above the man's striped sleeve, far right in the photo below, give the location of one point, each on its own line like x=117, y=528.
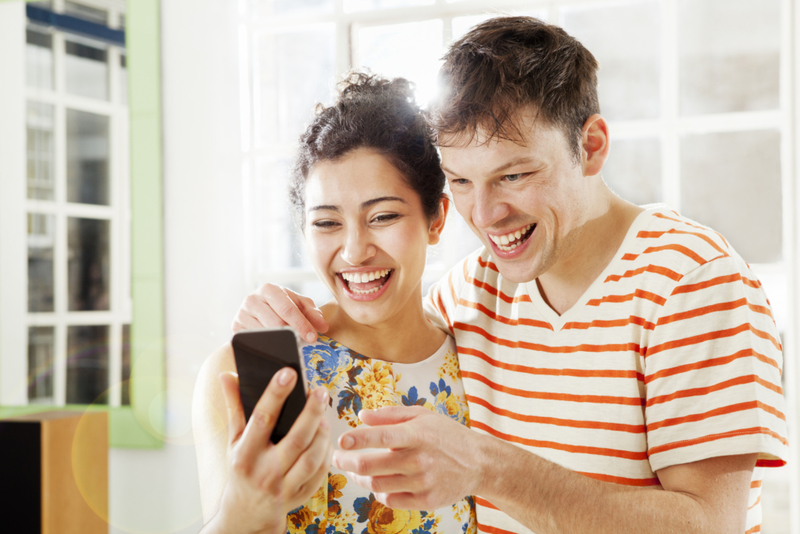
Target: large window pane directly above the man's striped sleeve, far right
x=732, y=183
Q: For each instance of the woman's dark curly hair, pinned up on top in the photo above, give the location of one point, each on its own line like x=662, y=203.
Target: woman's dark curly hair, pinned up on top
x=379, y=114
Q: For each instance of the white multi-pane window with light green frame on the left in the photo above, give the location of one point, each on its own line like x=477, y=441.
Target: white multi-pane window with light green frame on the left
x=69, y=334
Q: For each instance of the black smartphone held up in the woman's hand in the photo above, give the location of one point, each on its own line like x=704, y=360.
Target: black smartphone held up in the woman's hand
x=259, y=355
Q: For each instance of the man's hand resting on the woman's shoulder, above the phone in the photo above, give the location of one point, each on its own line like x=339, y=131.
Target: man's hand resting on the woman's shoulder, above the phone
x=272, y=306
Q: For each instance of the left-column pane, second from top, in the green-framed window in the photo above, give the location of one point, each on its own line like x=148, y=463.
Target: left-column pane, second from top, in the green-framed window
x=40, y=168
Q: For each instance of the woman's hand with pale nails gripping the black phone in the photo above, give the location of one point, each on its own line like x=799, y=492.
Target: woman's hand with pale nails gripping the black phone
x=266, y=481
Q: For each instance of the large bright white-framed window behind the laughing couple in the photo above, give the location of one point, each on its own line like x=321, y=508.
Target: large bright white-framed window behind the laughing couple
x=700, y=119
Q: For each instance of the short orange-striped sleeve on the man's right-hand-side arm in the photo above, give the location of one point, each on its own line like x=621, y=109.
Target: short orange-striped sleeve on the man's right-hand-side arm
x=712, y=371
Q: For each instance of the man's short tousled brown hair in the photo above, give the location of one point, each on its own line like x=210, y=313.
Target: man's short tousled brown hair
x=507, y=64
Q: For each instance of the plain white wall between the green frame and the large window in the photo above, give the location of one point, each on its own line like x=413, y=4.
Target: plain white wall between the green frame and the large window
x=157, y=491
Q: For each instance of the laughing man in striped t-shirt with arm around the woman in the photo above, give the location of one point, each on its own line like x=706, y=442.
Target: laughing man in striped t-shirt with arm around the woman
x=621, y=365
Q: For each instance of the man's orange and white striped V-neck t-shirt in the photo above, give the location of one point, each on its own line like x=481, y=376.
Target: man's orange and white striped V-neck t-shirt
x=671, y=356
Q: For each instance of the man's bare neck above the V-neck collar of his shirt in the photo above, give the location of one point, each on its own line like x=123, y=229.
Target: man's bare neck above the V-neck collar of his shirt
x=600, y=238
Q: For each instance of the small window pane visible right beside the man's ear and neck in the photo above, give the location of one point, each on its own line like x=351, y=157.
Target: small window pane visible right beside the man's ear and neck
x=633, y=170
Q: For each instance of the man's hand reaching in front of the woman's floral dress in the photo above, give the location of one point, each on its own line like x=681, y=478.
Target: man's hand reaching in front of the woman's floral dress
x=428, y=463
